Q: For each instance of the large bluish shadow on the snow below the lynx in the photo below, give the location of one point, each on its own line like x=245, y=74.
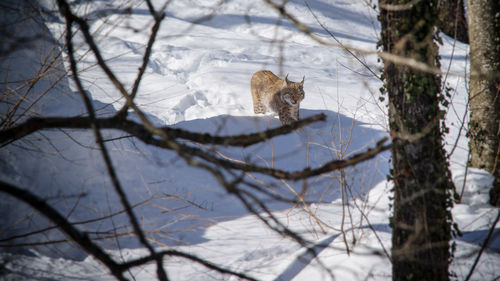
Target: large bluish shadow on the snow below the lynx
x=174, y=201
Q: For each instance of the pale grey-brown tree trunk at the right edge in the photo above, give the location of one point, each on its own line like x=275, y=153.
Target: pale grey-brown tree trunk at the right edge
x=484, y=126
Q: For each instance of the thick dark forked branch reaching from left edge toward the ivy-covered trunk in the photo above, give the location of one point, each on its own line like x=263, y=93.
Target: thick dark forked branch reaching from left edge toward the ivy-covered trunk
x=144, y=135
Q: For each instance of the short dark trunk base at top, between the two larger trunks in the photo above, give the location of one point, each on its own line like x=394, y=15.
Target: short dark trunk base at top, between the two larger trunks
x=451, y=20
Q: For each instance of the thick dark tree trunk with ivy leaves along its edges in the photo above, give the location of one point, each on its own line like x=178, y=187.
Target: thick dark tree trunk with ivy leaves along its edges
x=421, y=221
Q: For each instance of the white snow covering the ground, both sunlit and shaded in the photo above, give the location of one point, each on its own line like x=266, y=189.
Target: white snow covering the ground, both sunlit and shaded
x=198, y=79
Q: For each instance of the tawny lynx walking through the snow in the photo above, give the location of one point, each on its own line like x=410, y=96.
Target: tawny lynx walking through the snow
x=282, y=96
